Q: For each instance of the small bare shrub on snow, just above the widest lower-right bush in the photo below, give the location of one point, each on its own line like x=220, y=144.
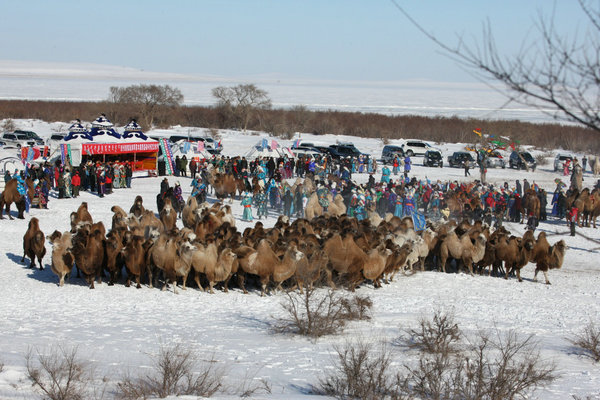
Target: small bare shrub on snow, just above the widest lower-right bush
x=438, y=335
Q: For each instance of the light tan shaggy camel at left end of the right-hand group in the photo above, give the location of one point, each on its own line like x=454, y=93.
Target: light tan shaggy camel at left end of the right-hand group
x=462, y=249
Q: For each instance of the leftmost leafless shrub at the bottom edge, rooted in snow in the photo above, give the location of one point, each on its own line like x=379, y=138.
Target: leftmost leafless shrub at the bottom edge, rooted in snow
x=59, y=374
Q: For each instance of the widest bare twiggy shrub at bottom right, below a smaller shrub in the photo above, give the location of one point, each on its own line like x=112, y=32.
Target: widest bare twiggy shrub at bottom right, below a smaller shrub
x=505, y=367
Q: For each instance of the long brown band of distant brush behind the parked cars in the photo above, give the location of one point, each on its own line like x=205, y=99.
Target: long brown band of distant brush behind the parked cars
x=285, y=123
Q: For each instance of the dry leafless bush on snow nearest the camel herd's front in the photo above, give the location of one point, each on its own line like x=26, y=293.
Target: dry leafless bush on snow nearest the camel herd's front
x=317, y=313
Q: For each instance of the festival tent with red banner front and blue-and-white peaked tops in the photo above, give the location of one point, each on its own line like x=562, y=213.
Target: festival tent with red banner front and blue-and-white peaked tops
x=103, y=143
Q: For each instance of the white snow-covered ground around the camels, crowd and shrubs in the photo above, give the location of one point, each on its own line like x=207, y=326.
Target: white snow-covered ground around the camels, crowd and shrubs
x=117, y=327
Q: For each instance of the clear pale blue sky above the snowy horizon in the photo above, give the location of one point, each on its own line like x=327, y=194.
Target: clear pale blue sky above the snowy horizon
x=318, y=39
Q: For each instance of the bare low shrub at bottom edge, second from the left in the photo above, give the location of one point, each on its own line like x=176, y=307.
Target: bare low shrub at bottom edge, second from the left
x=176, y=372
